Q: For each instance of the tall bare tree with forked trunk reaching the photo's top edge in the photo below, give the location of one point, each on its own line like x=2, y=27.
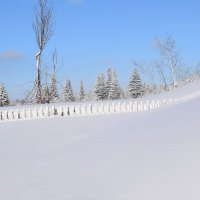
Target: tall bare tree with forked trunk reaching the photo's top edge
x=43, y=27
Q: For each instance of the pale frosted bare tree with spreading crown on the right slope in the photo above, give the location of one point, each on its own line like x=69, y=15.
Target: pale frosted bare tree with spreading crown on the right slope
x=167, y=49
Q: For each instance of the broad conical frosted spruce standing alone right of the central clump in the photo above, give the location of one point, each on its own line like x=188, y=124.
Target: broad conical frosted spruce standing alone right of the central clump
x=136, y=89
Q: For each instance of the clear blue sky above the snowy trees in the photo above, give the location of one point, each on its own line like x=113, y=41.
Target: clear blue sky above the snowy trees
x=91, y=36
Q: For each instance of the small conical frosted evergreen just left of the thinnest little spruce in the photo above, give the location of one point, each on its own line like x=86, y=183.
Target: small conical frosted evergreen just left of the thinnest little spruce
x=67, y=92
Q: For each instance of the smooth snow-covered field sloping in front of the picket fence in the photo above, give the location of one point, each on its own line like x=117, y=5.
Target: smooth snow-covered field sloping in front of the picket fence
x=151, y=155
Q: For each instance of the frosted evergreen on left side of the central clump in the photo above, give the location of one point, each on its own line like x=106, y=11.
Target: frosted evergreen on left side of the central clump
x=100, y=88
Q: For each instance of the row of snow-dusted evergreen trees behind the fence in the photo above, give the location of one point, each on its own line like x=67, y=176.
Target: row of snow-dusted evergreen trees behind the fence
x=106, y=88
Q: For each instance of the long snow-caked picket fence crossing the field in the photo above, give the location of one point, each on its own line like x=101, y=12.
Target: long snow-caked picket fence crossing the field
x=78, y=110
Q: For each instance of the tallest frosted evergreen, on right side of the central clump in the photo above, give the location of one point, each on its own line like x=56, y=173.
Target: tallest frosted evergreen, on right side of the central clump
x=114, y=89
